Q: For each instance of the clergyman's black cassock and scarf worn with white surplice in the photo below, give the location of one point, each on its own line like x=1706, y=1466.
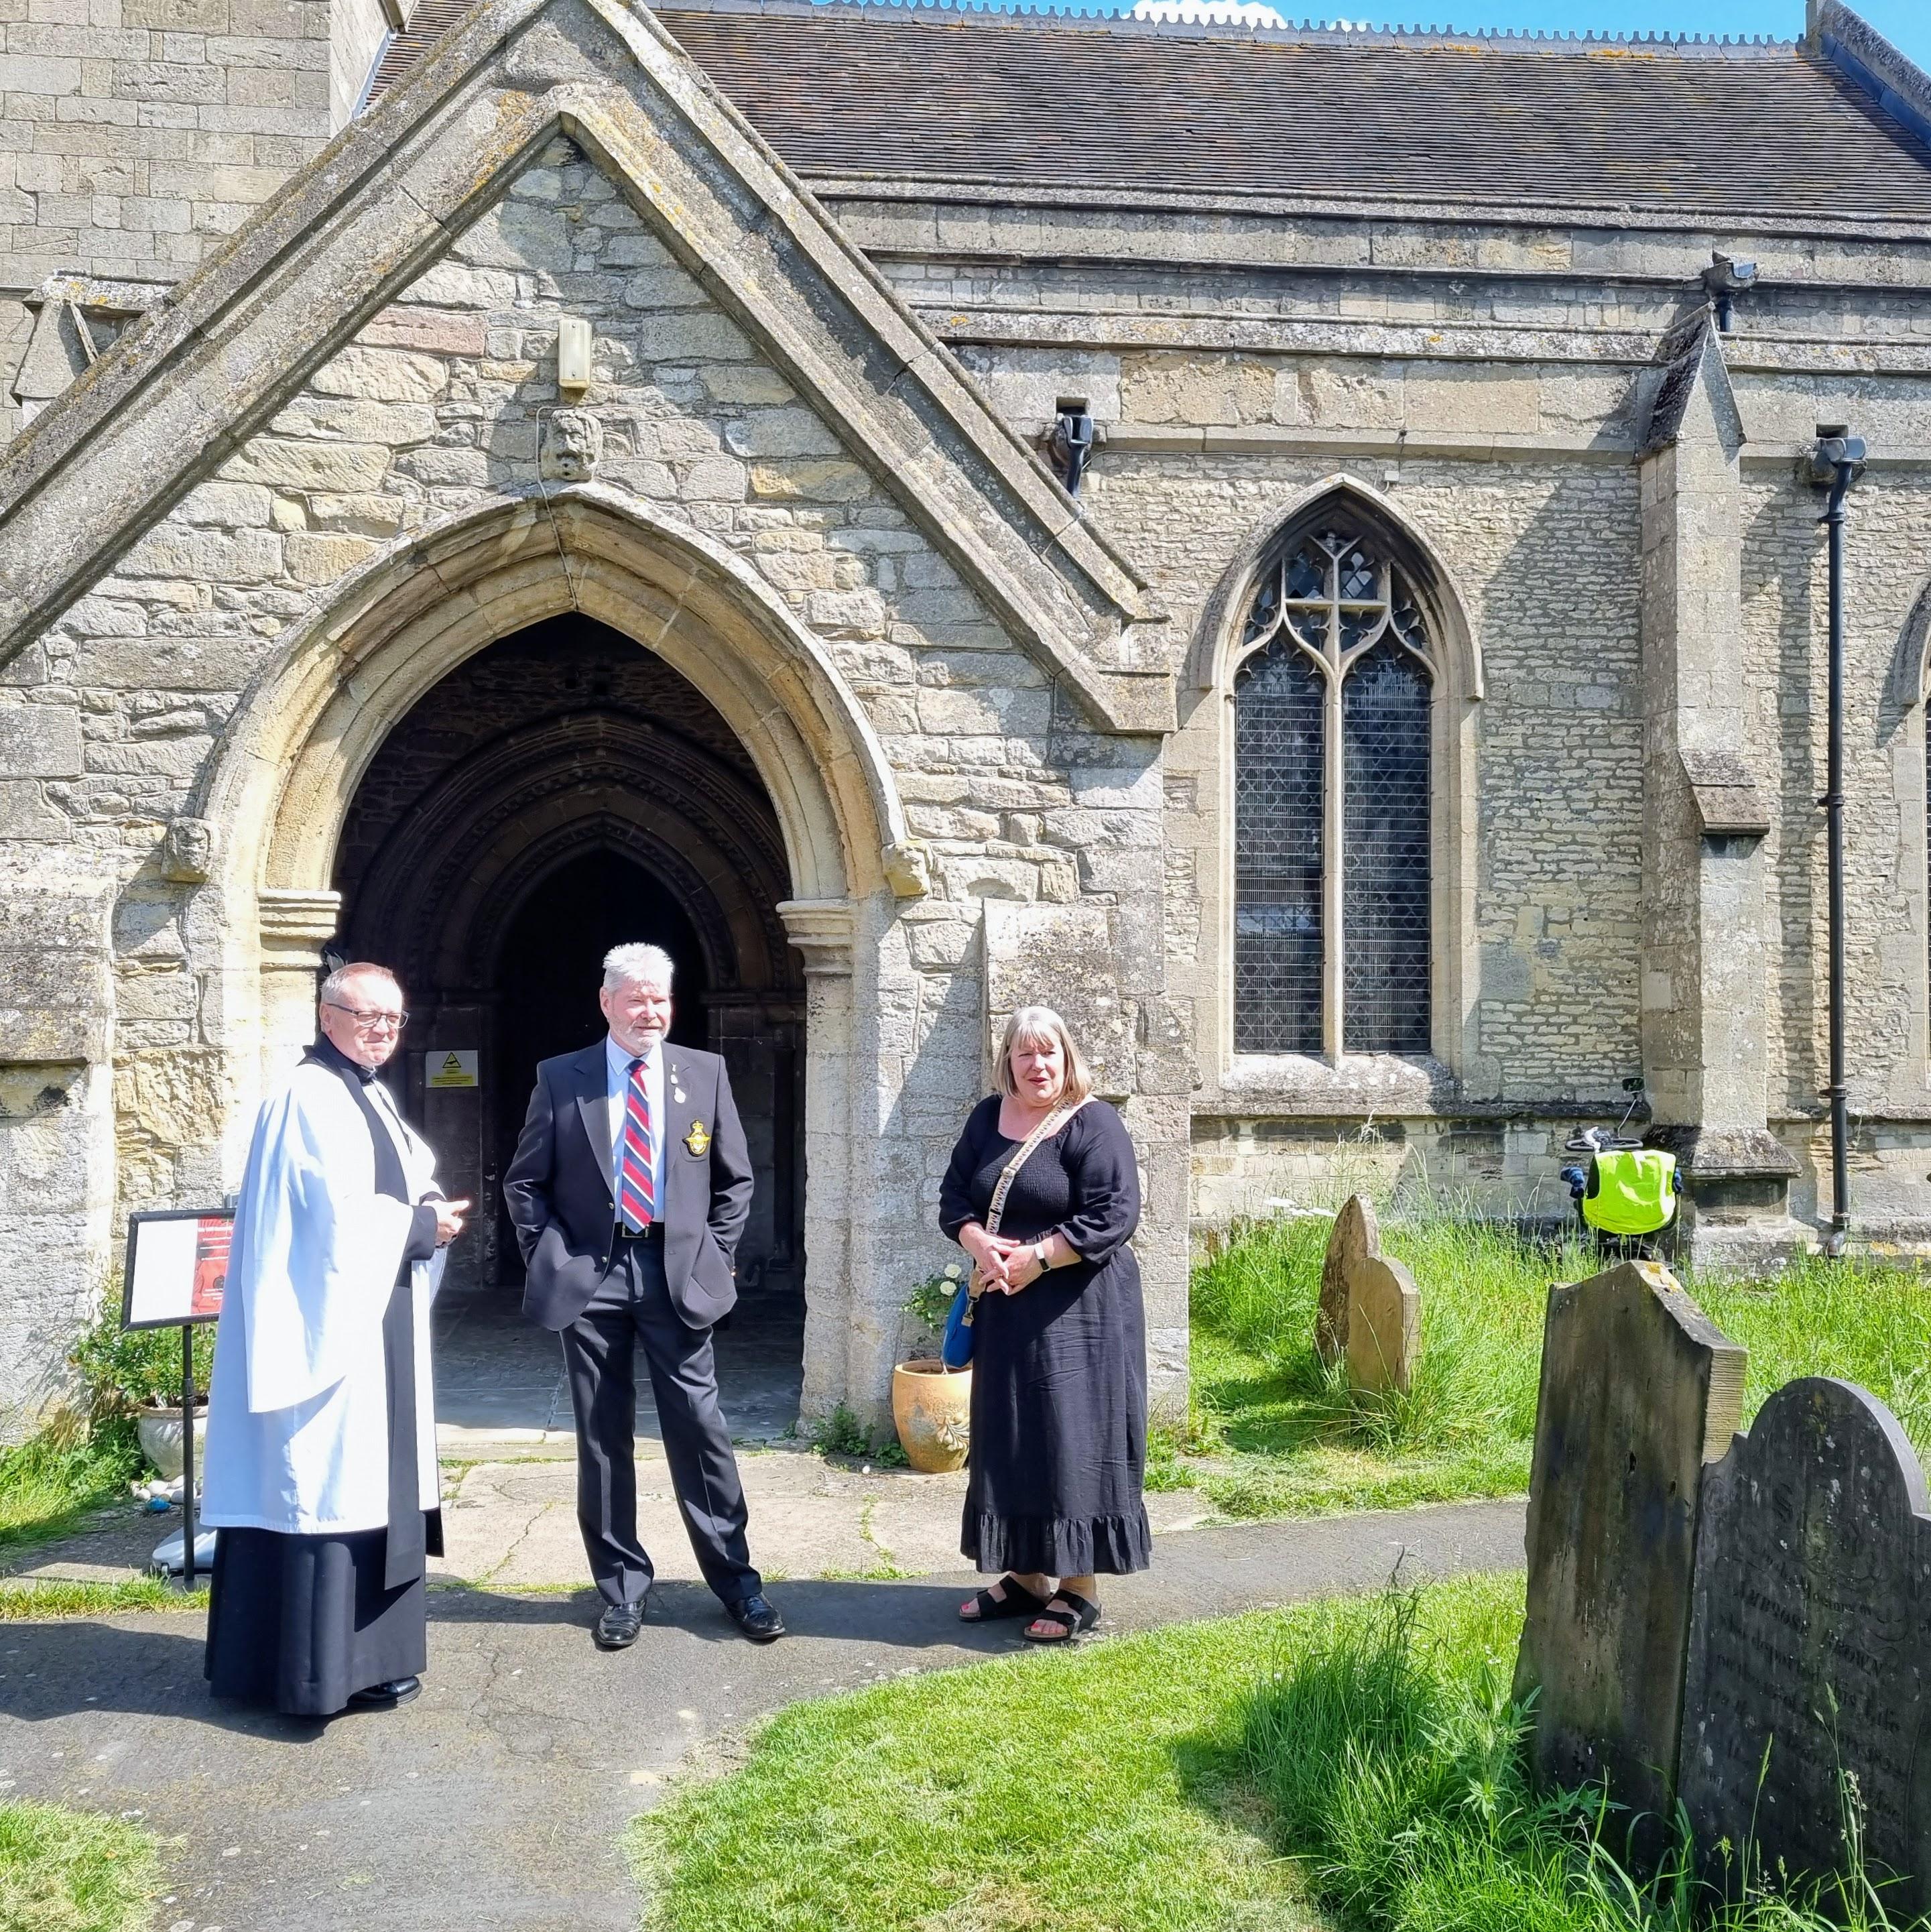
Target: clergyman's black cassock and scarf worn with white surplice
x=306, y=1622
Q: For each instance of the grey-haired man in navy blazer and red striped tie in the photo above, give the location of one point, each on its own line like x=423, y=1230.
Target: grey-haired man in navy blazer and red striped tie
x=629, y=1191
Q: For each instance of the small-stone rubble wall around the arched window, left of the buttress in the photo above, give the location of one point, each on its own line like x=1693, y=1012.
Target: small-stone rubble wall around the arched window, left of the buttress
x=1546, y=559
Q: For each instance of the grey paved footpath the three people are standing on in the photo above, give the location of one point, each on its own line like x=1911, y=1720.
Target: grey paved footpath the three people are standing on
x=497, y=1802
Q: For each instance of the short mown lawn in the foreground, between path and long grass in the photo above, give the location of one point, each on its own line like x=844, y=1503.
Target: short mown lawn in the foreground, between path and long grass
x=1080, y=1792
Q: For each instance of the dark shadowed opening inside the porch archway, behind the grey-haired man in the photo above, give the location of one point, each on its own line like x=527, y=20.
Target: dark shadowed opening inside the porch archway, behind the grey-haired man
x=555, y=795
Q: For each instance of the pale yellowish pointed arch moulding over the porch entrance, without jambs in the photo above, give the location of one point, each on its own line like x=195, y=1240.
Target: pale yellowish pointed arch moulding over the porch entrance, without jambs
x=310, y=725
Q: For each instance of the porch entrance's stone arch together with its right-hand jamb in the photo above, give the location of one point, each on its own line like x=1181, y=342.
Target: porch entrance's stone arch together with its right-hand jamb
x=293, y=756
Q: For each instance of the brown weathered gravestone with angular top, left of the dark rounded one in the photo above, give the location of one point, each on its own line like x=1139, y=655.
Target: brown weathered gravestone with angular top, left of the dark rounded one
x=1638, y=1392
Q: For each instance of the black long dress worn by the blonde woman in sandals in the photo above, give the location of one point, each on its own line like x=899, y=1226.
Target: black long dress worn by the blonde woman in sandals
x=1059, y=1388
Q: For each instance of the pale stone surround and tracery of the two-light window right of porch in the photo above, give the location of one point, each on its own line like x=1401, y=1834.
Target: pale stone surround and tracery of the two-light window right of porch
x=1443, y=644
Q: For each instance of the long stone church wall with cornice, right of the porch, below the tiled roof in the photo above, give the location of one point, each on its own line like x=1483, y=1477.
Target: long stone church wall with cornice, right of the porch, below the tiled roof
x=1507, y=438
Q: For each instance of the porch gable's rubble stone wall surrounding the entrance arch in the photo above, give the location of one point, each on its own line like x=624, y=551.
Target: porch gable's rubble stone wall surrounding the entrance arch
x=435, y=409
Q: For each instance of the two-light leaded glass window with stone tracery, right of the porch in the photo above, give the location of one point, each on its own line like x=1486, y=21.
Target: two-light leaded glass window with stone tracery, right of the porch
x=1331, y=803
